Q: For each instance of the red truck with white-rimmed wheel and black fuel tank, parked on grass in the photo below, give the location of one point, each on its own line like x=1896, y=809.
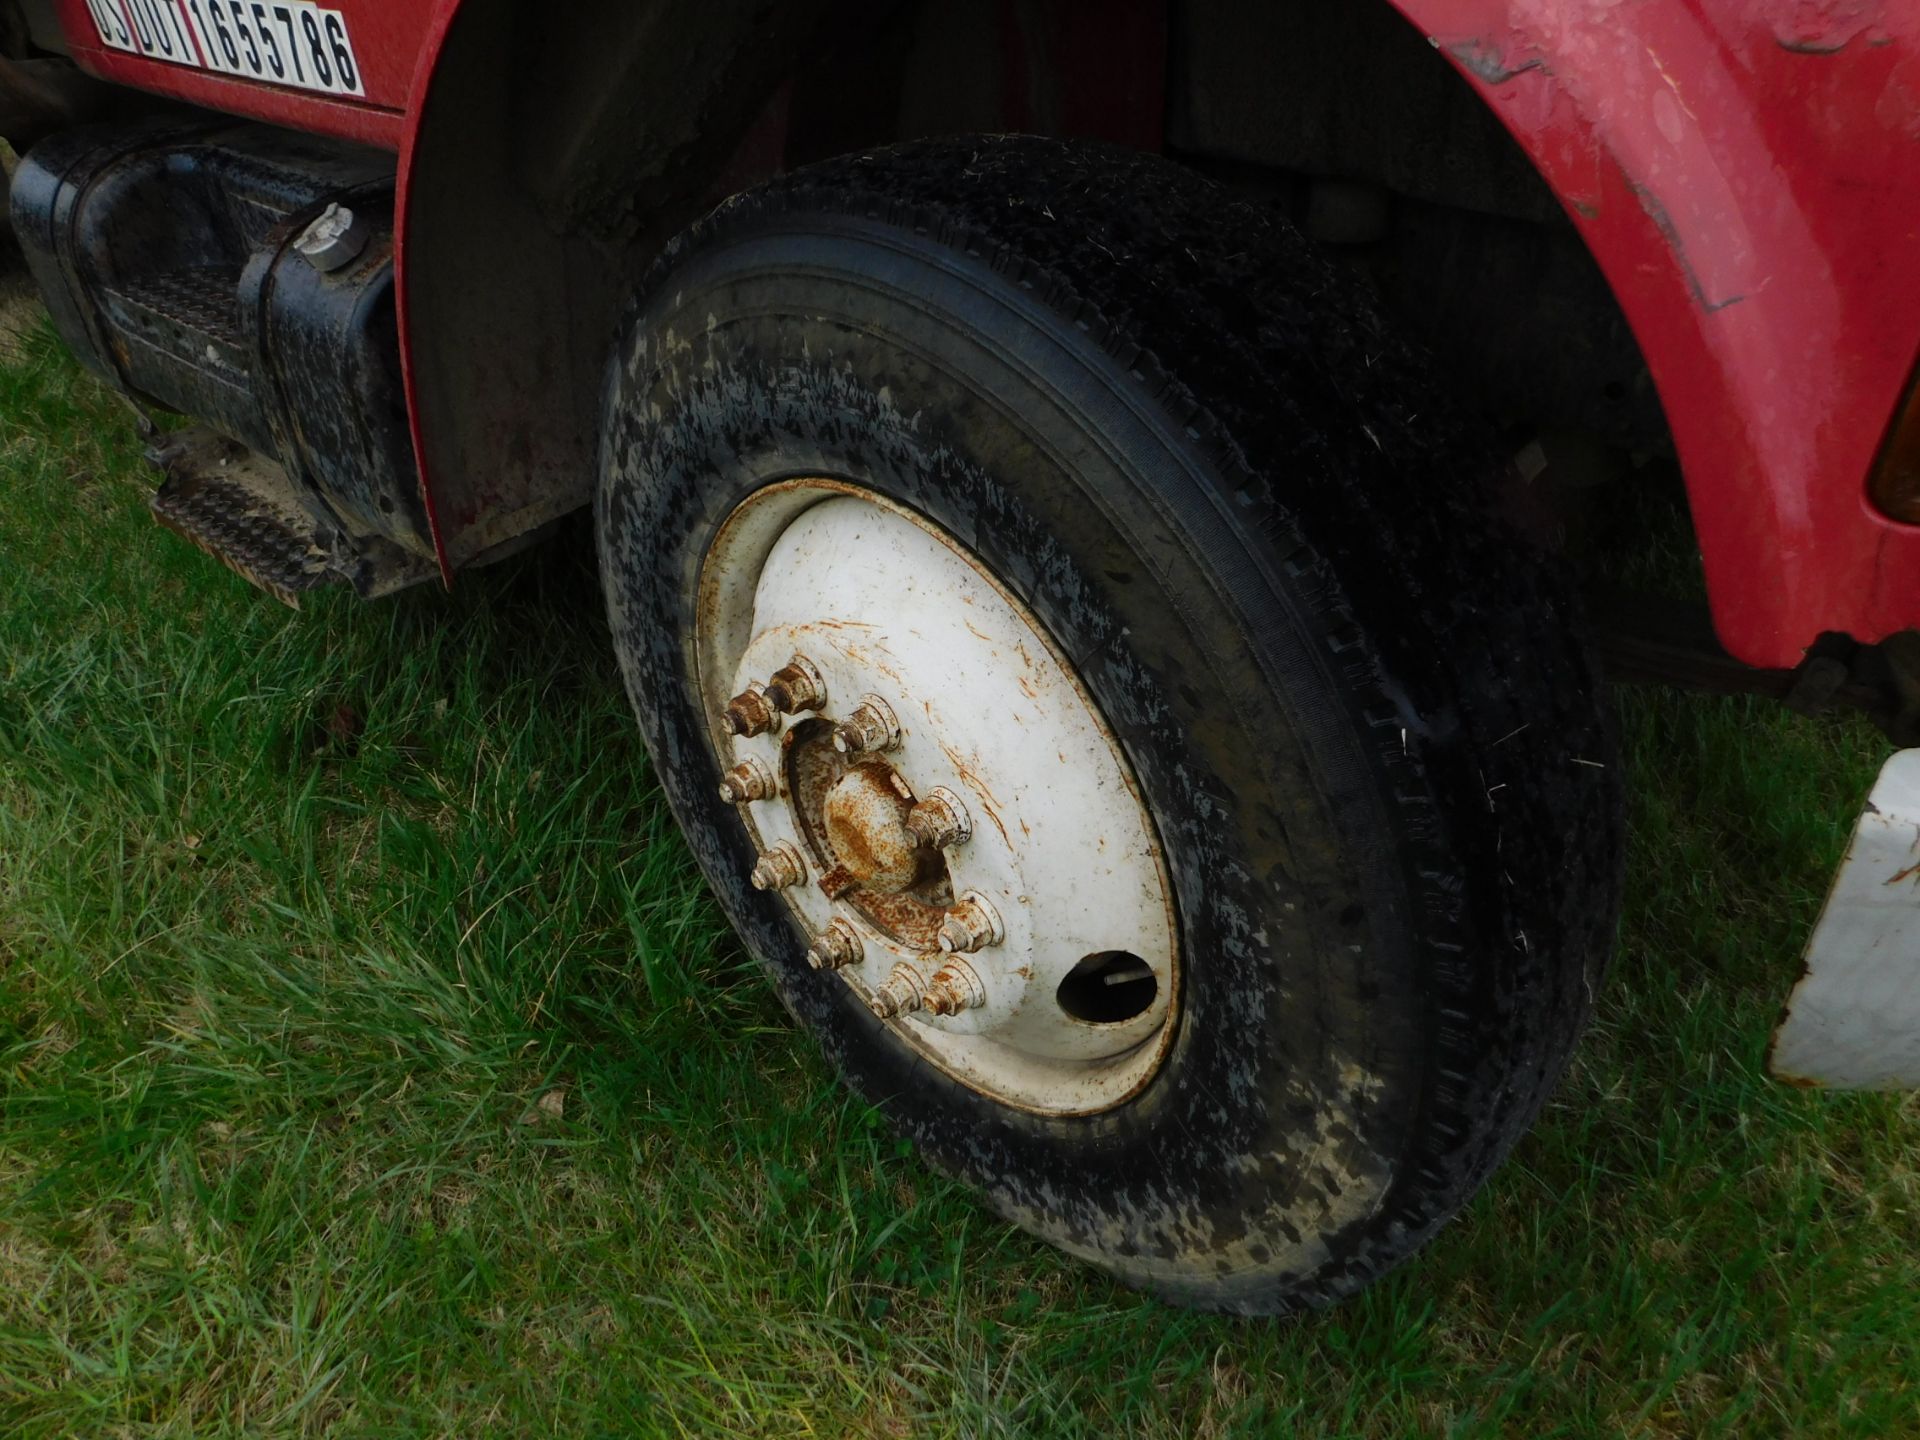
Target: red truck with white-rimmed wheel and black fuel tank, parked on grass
x=1068, y=485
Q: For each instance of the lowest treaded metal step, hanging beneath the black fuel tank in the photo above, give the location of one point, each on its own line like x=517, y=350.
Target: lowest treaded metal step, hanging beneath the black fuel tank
x=245, y=512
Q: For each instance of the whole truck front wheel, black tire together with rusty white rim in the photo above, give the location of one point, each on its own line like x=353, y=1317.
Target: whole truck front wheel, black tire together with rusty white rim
x=1067, y=629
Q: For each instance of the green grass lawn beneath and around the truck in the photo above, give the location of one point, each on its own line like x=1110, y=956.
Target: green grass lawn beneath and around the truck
x=373, y=1063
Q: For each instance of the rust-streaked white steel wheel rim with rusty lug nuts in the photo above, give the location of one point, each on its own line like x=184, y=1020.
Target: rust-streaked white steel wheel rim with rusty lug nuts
x=1068, y=1003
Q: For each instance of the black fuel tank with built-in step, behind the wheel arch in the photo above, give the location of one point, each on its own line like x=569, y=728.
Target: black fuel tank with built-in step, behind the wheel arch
x=170, y=260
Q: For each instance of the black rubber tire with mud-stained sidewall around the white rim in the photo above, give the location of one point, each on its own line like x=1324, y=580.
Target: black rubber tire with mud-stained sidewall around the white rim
x=1358, y=709
